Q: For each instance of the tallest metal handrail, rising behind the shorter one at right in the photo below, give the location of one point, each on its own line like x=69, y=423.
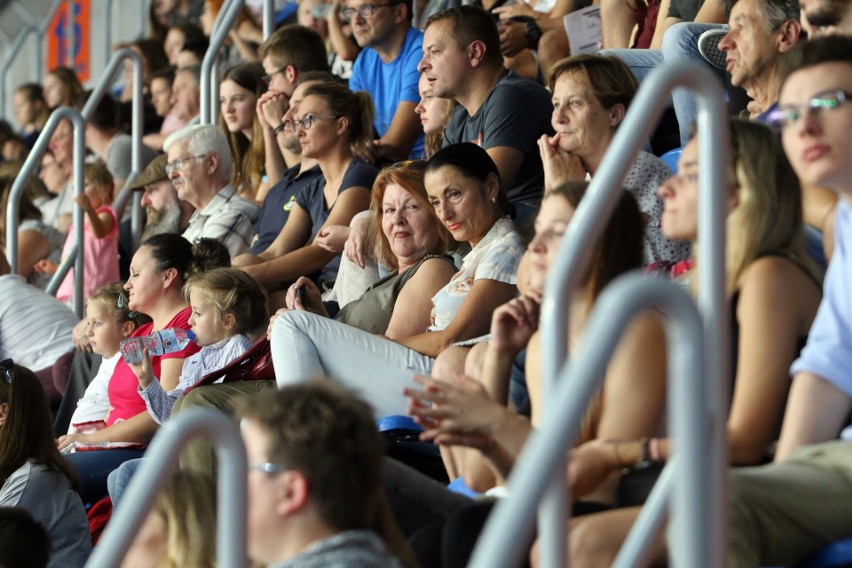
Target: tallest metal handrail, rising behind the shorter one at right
x=586, y=227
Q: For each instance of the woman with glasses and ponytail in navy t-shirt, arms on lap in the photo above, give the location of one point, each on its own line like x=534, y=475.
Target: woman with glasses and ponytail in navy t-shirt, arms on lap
x=332, y=120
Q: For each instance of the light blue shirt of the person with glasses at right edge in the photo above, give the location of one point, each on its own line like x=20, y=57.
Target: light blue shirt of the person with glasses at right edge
x=828, y=352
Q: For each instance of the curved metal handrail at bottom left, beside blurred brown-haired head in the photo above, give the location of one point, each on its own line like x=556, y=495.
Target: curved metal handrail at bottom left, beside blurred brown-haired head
x=159, y=463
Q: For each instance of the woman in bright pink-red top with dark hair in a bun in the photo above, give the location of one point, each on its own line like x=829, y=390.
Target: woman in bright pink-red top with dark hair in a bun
x=158, y=272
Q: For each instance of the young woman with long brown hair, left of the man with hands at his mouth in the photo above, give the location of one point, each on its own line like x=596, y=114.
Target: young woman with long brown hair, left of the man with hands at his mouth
x=238, y=93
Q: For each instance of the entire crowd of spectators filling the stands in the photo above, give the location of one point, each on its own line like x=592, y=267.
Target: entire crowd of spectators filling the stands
x=378, y=205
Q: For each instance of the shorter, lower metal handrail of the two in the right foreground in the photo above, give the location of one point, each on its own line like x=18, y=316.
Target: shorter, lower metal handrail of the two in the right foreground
x=565, y=404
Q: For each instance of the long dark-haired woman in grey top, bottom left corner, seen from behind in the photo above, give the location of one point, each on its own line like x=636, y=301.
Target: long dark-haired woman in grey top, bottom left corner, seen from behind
x=32, y=472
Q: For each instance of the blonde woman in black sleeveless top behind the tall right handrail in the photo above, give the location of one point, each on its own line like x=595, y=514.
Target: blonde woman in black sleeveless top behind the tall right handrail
x=774, y=290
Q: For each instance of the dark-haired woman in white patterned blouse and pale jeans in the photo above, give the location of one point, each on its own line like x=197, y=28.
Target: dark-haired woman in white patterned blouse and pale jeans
x=463, y=185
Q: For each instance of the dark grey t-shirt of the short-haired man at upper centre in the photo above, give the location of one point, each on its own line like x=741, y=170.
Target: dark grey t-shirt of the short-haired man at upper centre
x=515, y=114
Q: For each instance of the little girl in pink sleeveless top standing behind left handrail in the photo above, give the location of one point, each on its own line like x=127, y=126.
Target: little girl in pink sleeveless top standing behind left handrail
x=100, y=238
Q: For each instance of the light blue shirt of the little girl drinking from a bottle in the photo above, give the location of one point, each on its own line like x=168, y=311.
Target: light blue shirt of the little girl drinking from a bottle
x=210, y=358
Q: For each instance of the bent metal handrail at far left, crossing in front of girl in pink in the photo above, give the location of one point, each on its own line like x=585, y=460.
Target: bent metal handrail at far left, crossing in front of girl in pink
x=28, y=169
